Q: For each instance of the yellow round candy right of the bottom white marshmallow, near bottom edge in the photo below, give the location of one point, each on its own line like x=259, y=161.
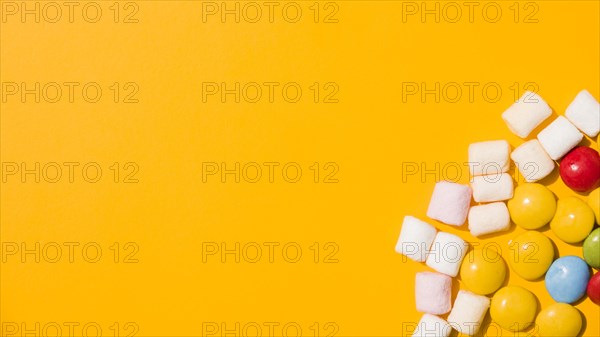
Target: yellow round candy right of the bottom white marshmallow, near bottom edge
x=513, y=308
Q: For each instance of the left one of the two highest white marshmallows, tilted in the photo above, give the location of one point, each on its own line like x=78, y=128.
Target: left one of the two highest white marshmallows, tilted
x=526, y=114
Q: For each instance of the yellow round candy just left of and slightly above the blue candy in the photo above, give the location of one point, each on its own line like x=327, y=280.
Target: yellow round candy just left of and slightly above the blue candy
x=532, y=254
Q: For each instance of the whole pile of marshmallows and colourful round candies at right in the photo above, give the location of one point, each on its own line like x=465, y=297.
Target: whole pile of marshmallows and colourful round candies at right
x=531, y=206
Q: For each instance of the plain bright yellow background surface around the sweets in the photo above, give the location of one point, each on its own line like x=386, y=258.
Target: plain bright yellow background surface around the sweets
x=170, y=212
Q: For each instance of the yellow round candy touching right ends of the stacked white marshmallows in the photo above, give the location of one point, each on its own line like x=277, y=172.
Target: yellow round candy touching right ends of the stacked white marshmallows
x=532, y=206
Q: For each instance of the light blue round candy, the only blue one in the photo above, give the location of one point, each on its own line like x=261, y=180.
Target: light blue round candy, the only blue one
x=567, y=279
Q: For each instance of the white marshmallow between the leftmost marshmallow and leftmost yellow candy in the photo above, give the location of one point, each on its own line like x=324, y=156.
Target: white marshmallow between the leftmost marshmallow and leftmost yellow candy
x=447, y=253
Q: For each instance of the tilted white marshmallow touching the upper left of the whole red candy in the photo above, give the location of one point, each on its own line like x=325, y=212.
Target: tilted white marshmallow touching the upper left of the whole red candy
x=559, y=137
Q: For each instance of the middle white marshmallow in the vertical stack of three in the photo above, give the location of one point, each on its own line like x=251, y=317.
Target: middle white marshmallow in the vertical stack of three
x=492, y=188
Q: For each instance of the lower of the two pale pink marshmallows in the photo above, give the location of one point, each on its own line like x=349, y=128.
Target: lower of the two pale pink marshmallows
x=433, y=293
